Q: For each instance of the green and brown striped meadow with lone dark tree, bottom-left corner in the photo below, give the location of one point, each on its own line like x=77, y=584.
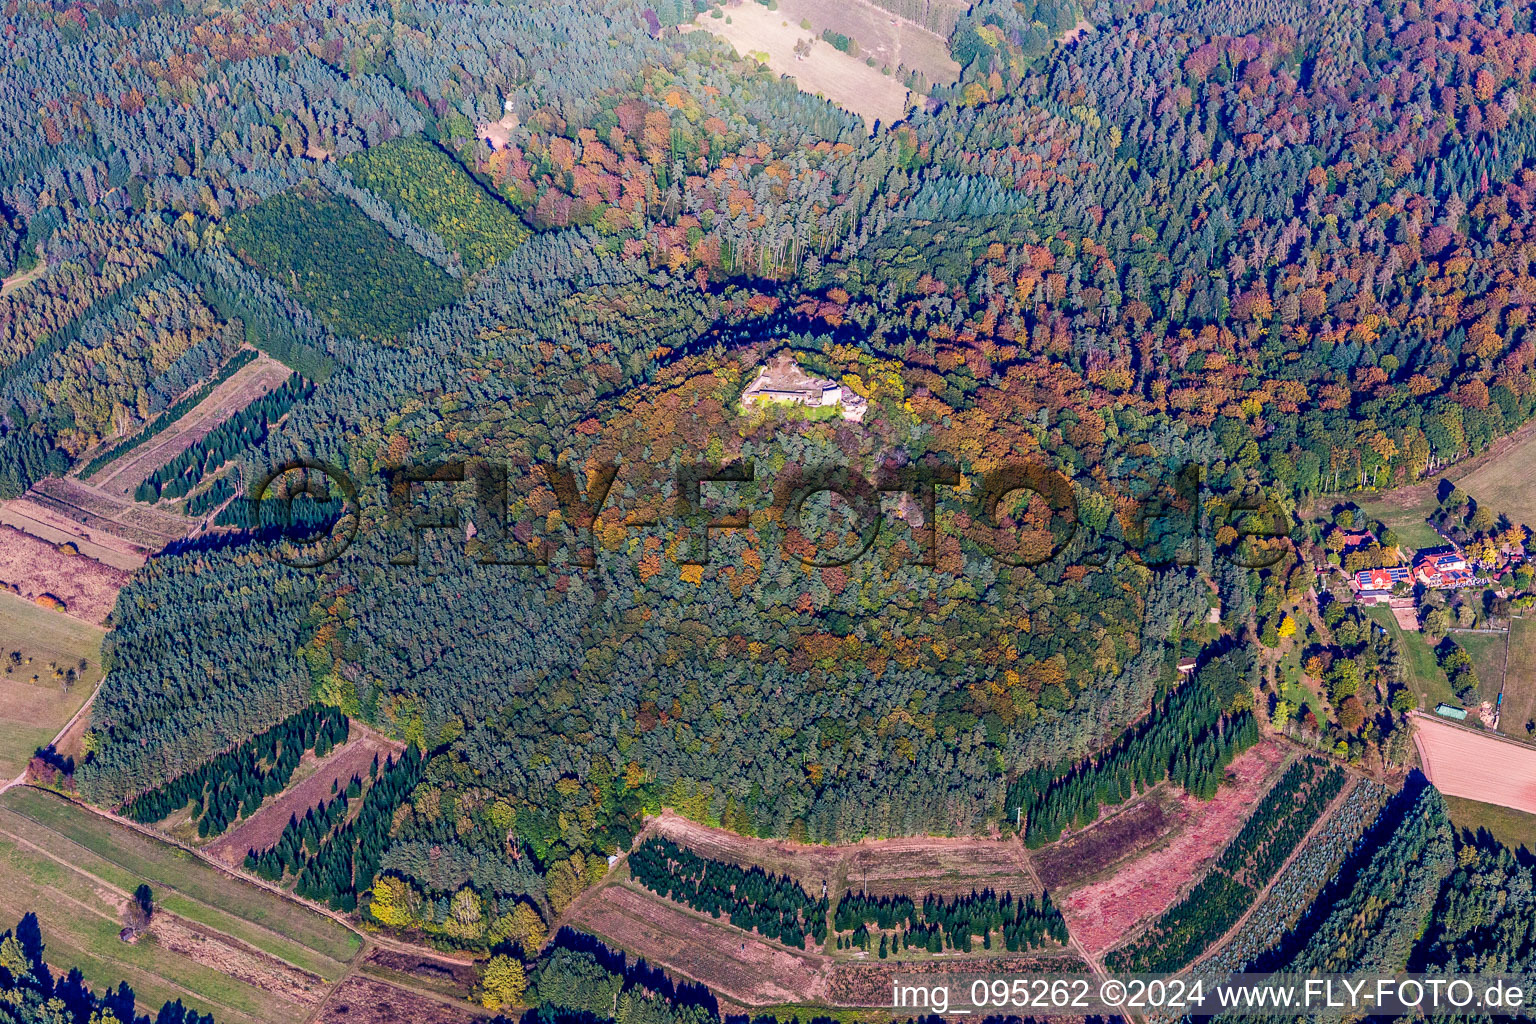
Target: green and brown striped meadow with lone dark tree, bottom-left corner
x=217, y=943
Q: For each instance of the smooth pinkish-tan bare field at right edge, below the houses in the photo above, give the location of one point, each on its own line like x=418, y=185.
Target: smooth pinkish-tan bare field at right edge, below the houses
x=1477, y=765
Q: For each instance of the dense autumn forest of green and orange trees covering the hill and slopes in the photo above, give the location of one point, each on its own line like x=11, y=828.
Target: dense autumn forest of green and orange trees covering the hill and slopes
x=1283, y=243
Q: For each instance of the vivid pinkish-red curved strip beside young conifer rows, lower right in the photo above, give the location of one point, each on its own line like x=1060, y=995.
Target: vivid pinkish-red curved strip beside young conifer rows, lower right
x=1108, y=911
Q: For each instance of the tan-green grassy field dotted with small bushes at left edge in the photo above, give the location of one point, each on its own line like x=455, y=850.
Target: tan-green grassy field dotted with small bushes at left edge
x=35, y=646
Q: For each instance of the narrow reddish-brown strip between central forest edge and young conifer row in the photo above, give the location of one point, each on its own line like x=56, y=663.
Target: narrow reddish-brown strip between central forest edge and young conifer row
x=912, y=867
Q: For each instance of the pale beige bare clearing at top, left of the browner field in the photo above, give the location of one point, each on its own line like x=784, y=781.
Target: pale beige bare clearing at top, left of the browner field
x=846, y=81
